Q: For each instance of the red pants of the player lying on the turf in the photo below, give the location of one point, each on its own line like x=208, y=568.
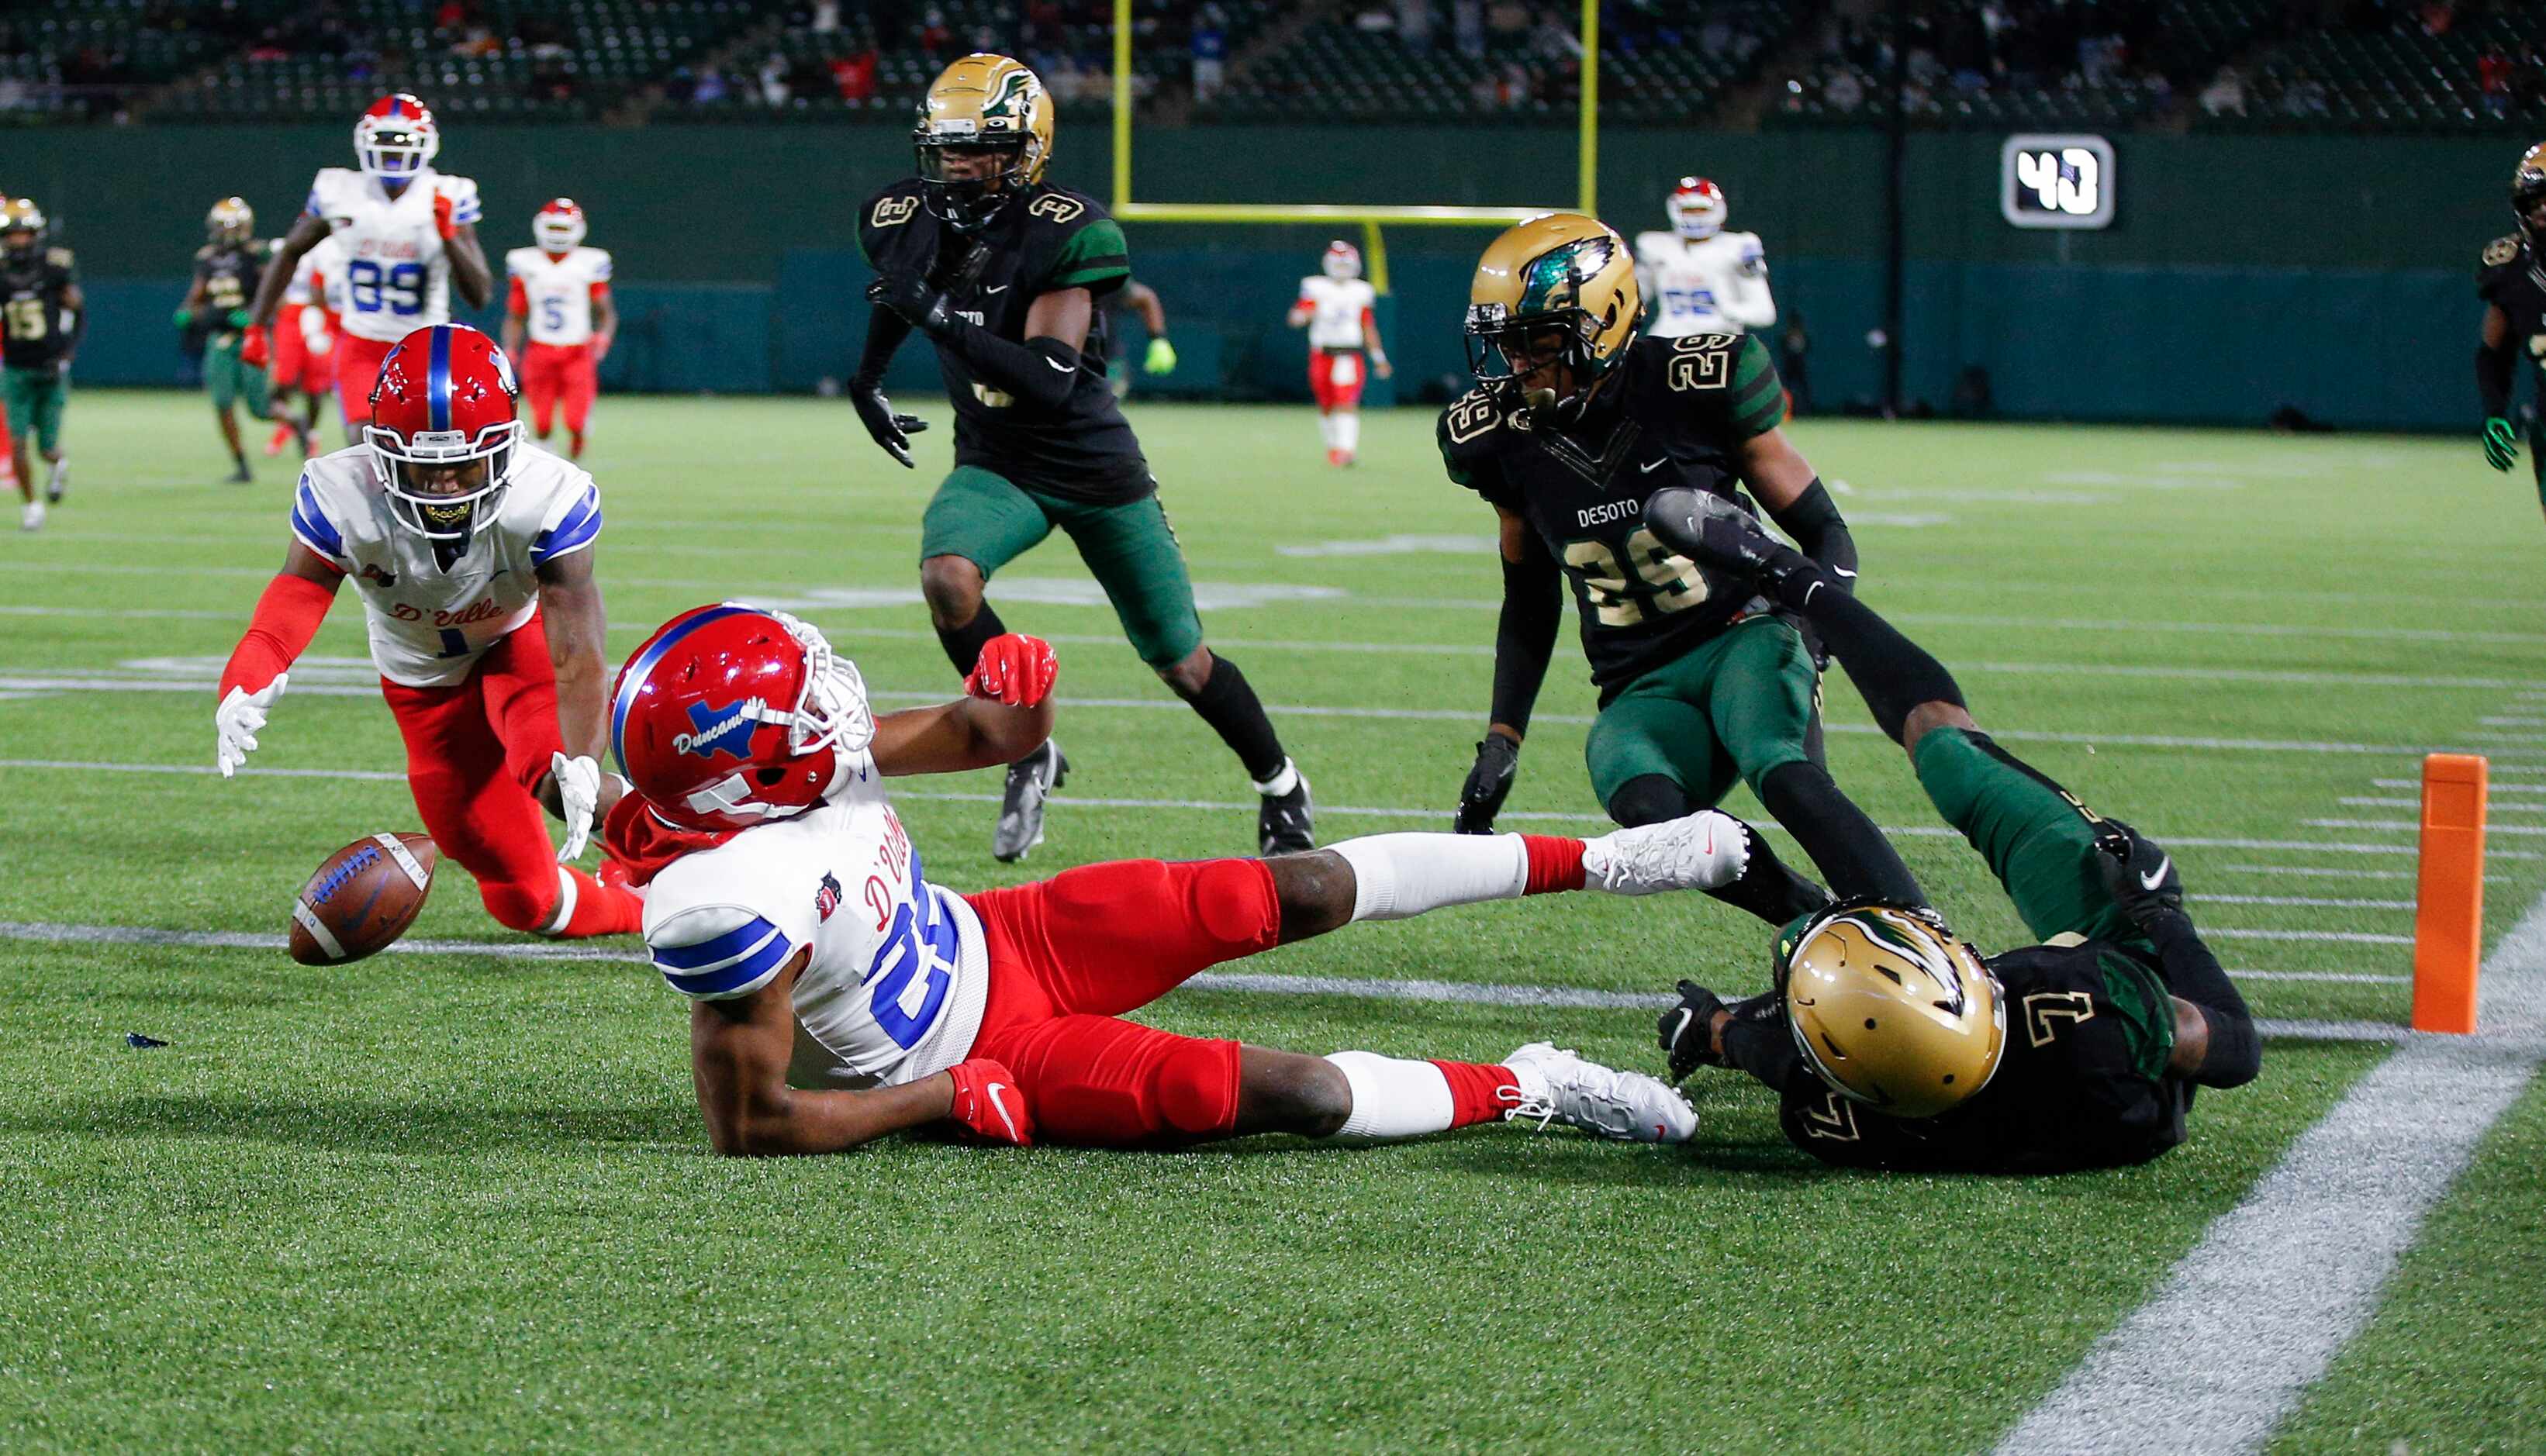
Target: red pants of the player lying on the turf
x=1076, y=951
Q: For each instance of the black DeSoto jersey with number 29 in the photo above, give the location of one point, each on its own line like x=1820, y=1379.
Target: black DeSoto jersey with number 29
x=1677, y=416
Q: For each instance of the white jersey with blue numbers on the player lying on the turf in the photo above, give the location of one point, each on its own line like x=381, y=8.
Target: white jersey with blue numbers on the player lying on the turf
x=897, y=974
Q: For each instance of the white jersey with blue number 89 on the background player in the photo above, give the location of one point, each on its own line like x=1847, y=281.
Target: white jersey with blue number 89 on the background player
x=396, y=274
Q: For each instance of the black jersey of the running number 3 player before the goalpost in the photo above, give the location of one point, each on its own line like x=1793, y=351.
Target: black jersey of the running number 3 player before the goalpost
x=1050, y=241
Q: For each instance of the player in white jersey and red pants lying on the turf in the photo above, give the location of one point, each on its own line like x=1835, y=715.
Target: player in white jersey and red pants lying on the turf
x=841, y=997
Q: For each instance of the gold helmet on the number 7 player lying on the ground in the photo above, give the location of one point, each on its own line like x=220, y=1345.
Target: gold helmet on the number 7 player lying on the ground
x=1893, y=1009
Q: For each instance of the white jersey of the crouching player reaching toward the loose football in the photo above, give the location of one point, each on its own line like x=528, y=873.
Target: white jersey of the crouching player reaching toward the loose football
x=432, y=625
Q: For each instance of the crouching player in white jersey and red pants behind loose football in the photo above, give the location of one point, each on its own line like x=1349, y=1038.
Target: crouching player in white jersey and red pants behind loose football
x=475, y=559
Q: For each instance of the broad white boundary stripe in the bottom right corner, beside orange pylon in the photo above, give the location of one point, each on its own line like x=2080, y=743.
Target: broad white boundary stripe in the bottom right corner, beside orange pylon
x=2280, y=1284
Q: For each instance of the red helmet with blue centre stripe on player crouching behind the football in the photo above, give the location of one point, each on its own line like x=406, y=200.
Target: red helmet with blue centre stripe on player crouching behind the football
x=444, y=429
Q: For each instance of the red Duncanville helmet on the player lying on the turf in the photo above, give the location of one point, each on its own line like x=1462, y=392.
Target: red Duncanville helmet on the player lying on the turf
x=735, y=717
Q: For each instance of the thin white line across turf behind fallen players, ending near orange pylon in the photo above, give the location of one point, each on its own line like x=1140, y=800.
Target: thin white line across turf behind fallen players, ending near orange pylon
x=1458, y=991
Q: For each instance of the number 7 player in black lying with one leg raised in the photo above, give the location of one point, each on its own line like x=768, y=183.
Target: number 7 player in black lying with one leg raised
x=1893, y=1042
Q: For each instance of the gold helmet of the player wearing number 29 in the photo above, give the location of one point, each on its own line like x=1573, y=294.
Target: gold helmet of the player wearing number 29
x=1552, y=312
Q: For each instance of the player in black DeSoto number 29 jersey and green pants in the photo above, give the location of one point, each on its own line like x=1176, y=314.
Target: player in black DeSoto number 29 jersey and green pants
x=1572, y=424
